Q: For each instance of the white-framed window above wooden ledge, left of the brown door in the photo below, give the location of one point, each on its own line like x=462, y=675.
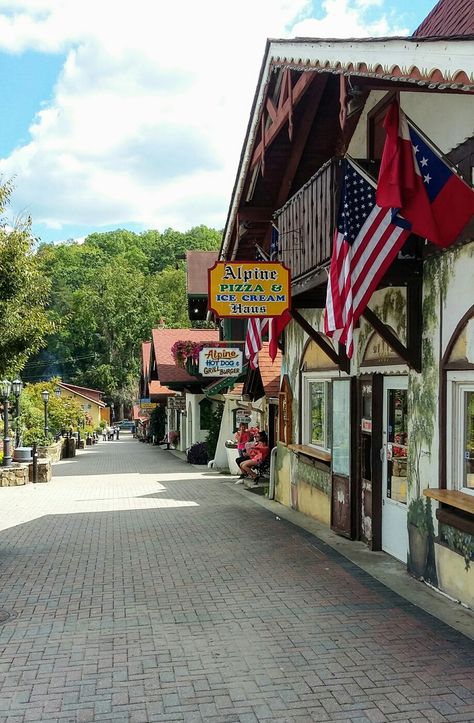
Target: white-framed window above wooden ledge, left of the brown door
x=316, y=393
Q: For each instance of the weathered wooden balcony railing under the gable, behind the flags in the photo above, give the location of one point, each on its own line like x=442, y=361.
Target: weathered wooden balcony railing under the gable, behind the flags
x=306, y=222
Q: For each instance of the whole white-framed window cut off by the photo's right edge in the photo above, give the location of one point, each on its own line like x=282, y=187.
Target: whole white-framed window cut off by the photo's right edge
x=460, y=428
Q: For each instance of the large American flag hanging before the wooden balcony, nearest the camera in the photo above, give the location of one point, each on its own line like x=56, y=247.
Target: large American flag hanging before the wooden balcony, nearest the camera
x=365, y=244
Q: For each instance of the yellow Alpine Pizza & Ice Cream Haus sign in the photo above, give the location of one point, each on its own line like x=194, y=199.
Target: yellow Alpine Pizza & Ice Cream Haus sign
x=249, y=289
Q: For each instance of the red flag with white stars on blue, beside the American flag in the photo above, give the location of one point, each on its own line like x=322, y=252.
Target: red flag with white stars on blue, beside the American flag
x=424, y=191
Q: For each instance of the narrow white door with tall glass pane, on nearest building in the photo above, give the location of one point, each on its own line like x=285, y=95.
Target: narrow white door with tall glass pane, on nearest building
x=394, y=467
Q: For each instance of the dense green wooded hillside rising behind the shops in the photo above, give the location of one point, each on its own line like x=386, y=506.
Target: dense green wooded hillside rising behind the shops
x=107, y=295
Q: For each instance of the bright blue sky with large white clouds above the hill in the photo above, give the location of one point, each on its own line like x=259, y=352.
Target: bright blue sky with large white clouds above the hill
x=114, y=120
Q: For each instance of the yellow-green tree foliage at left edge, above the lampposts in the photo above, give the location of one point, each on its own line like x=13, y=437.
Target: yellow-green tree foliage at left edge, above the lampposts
x=24, y=323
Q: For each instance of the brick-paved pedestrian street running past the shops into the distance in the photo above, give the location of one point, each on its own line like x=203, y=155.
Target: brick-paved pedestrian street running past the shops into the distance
x=142, y=589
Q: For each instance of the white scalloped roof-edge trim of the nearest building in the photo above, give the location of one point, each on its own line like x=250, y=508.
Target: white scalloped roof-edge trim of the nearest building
x=441, y=64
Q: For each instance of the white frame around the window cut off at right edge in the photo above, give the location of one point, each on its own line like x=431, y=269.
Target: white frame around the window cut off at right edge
x=457, y=383
